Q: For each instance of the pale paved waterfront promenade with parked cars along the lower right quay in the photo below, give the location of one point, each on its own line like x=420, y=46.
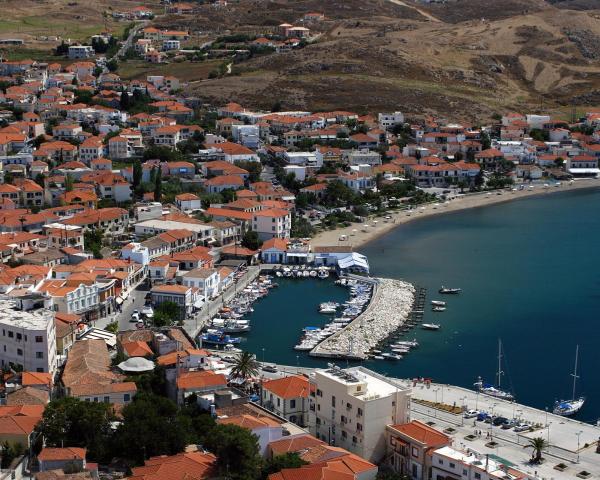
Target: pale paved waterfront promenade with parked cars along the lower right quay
x=572, y=443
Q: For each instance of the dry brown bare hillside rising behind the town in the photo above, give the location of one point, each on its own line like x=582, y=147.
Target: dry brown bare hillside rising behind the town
x=464, y=58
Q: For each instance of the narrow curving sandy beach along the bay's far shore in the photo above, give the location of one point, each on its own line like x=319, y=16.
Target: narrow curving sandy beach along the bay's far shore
x=357, y=235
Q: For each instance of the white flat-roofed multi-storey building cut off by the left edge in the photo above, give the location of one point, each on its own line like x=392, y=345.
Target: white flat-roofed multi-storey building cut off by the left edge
x=28, y=339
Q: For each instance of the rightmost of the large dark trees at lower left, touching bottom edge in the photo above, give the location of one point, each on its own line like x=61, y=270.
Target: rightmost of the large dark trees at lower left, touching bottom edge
x=237, y=452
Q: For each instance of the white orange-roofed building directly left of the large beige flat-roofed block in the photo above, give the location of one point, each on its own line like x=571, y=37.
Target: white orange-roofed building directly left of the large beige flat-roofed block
x=288, y=398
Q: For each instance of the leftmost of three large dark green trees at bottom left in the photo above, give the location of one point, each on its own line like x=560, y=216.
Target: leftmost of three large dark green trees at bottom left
x=72, y=422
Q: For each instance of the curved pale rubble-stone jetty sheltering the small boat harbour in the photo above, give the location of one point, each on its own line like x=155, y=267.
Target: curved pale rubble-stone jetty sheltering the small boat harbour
x=390, y=306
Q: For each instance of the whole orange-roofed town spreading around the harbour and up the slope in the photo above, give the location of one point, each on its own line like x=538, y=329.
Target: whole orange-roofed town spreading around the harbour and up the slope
x=133, y=216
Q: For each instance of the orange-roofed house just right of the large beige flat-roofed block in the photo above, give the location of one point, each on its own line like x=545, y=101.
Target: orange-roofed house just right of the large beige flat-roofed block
x=409, y=448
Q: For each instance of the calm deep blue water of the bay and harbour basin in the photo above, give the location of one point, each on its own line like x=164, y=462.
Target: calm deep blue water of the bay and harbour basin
x=530, y=275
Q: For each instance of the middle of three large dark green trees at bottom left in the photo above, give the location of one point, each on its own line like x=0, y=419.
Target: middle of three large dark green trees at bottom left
x=152, y=426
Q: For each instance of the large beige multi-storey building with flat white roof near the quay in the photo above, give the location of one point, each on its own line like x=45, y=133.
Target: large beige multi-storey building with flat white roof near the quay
x=351, y=408
